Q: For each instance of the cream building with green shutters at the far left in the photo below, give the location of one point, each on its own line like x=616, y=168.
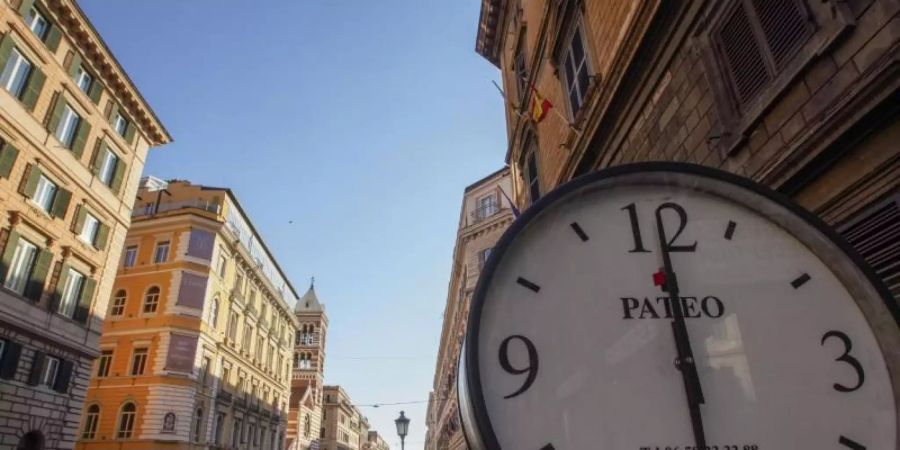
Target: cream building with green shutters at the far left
x=74, y=135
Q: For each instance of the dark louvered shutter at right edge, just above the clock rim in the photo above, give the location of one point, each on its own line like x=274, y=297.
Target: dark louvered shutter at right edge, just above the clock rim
x=876, y=236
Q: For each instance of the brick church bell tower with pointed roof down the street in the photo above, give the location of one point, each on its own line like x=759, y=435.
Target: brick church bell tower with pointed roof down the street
x=308, y=377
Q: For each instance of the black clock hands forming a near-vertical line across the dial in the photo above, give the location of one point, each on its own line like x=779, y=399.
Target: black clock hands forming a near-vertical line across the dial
x=685, y=360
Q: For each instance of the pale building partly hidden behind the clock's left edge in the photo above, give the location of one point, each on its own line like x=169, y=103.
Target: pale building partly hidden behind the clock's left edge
x=484, y=216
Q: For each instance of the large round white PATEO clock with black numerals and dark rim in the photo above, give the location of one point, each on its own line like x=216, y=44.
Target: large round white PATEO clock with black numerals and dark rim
x=571, y=344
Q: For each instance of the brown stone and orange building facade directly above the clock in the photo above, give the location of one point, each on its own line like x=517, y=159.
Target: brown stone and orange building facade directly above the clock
x=799, y=95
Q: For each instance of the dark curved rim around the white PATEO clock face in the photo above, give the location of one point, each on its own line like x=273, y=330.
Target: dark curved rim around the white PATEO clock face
x=470, y=398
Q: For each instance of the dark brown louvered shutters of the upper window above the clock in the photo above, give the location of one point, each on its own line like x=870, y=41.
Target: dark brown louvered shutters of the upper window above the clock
x=744, y=59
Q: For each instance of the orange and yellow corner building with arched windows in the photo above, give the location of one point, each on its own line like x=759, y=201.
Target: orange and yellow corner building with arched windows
x=196, y=347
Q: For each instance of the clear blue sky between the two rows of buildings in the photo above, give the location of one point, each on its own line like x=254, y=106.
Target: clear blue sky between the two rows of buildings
x=361, y=122
